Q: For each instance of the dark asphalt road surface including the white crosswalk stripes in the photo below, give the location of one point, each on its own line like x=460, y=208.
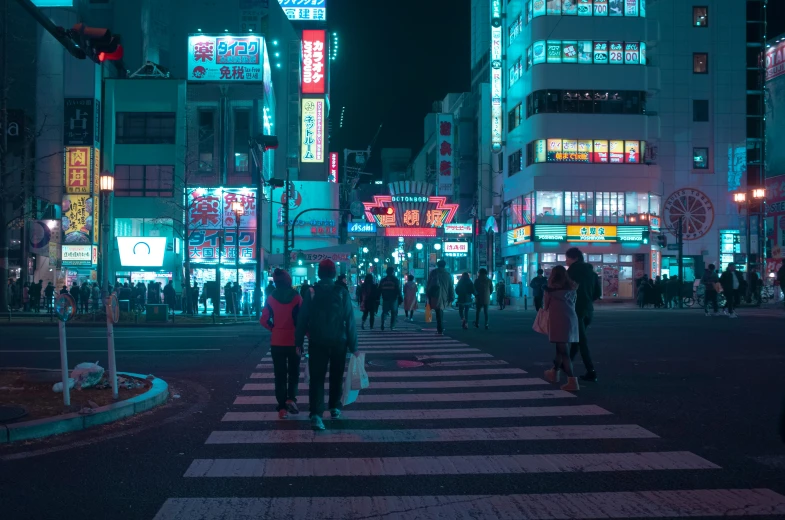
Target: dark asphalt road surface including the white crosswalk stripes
x=705, y=391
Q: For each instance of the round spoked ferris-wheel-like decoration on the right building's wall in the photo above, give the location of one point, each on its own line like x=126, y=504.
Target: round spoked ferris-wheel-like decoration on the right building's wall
x=695, y=210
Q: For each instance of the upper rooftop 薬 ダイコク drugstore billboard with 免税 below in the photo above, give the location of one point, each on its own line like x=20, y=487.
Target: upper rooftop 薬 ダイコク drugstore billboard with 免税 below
x=225, y=57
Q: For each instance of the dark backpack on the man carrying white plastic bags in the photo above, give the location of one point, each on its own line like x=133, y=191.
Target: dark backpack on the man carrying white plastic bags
x=327, y=325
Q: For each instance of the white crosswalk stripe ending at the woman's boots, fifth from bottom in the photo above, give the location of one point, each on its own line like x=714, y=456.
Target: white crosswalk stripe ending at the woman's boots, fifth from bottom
x=424, y=398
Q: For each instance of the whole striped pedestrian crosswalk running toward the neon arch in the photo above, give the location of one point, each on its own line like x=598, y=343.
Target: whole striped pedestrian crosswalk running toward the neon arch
x=464, y=436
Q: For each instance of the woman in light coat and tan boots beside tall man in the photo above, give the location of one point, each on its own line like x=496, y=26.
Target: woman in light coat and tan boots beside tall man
x=559, y=302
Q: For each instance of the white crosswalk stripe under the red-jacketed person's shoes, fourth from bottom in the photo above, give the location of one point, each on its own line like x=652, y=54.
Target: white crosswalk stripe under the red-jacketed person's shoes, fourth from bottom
x=419, y=415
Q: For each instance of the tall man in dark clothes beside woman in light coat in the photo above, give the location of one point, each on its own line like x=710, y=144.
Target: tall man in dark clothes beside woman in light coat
x=588, y=291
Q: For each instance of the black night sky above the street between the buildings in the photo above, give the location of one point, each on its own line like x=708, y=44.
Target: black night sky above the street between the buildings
x=394, y=62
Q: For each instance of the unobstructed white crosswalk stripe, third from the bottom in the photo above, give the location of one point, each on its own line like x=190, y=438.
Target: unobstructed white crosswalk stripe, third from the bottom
x=522, y=433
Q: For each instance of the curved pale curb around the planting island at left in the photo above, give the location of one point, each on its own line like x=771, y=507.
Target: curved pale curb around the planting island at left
x=36, y=429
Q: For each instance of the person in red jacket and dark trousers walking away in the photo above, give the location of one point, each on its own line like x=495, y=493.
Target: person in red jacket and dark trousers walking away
x=280, y=317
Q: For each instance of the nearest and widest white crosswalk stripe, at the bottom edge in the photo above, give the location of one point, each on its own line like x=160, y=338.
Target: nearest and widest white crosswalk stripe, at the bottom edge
x=579, y=506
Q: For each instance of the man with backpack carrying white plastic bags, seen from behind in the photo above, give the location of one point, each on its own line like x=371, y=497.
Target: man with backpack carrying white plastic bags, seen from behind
x=328, y=319
